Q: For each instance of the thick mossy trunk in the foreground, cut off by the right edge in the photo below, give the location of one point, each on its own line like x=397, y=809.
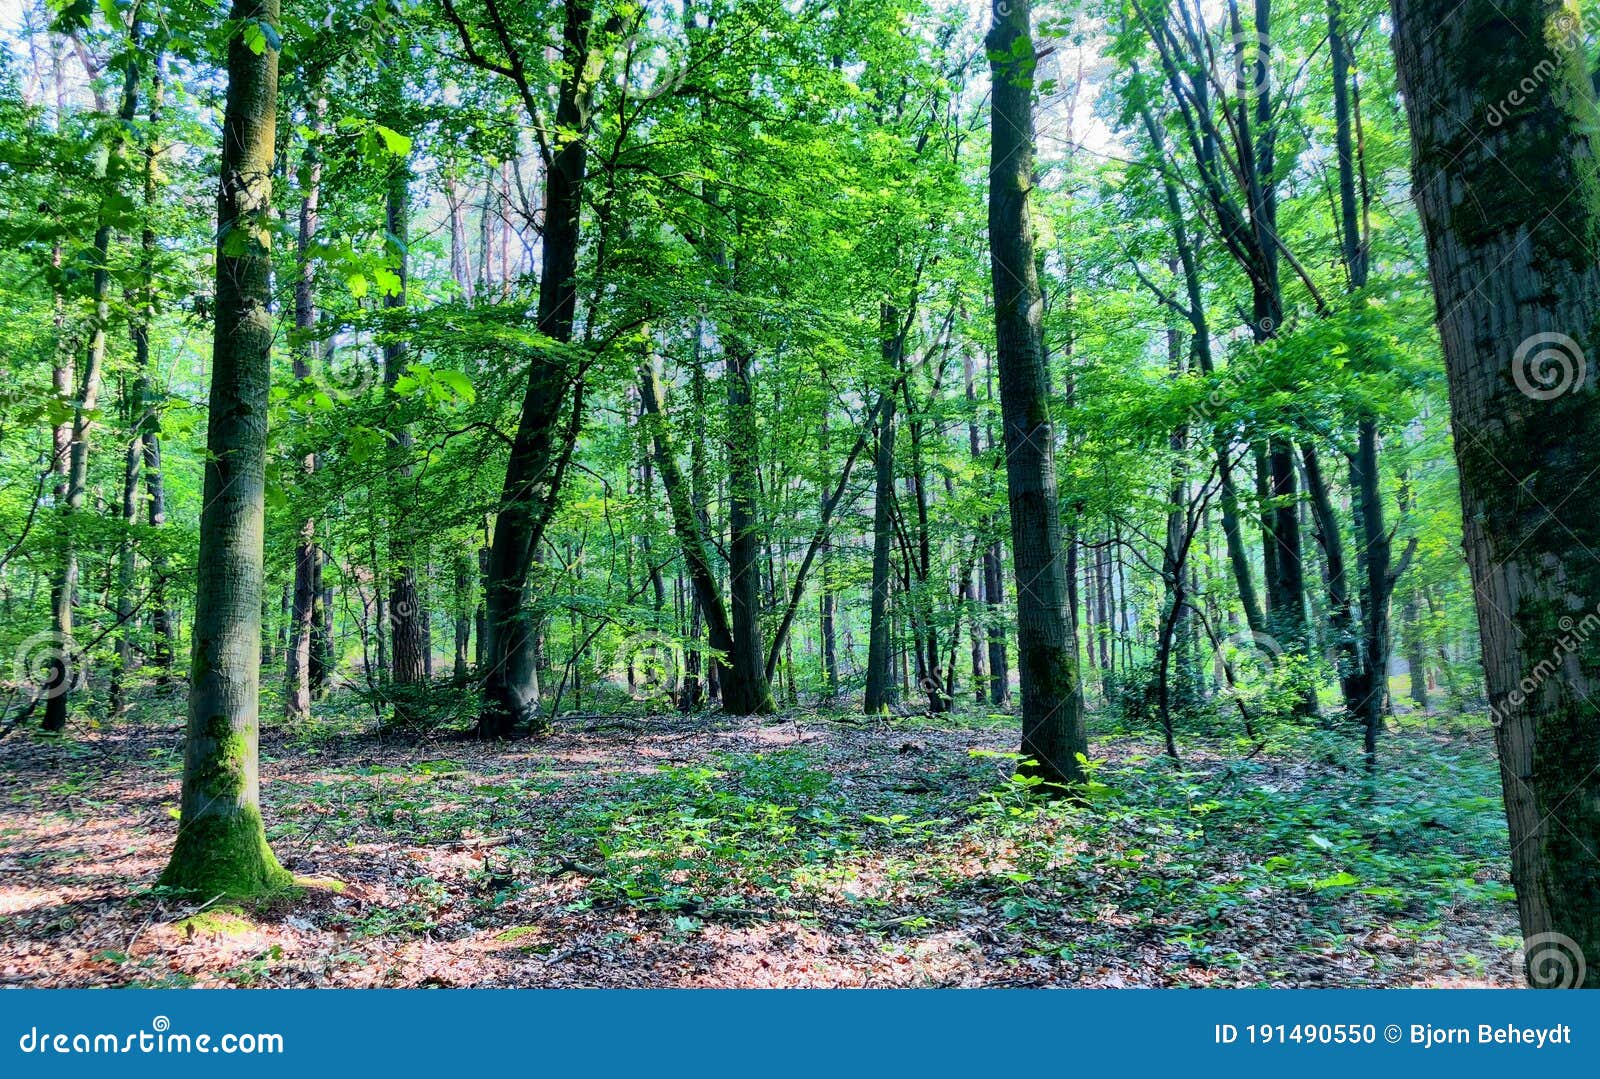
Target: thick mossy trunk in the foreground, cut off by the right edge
x=1513, y=225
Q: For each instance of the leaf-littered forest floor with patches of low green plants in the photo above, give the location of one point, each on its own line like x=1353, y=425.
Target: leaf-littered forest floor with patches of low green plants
x=793, y=851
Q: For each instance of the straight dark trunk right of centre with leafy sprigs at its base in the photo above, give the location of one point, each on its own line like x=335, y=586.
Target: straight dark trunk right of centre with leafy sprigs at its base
x=1054, y=732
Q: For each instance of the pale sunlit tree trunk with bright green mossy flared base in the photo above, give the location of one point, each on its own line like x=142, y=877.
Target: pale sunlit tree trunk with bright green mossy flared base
x=222, y=846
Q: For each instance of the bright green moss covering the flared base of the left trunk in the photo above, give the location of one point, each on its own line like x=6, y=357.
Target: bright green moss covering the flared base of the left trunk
x=226, y=856
